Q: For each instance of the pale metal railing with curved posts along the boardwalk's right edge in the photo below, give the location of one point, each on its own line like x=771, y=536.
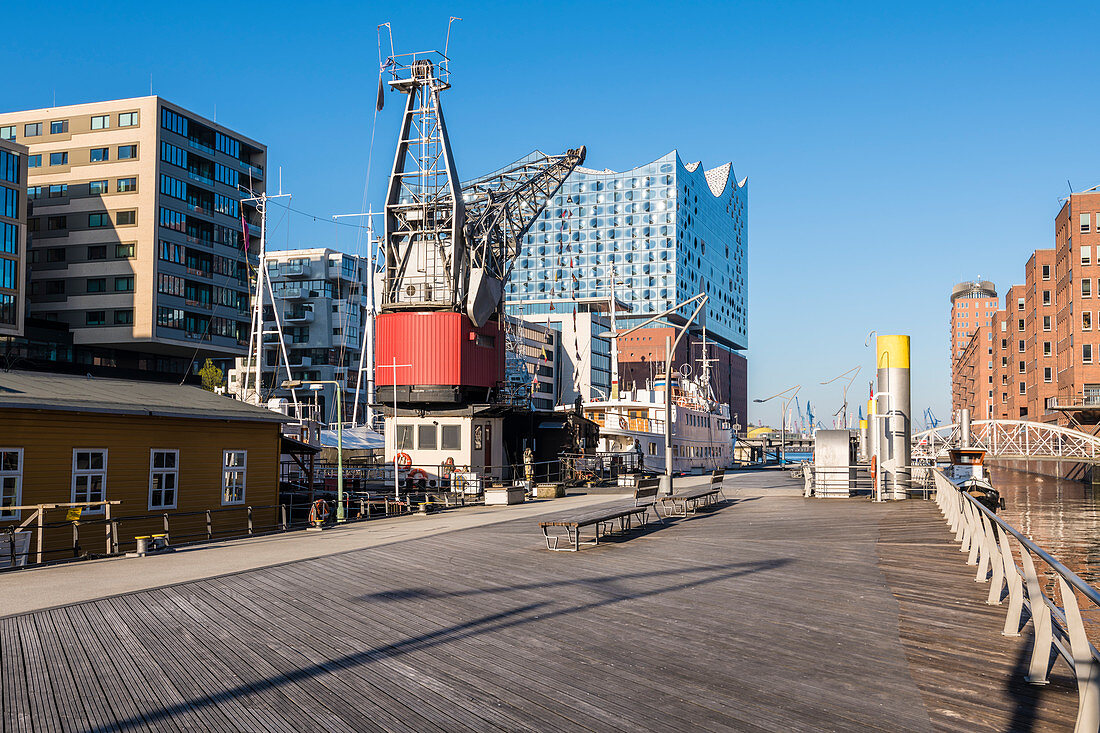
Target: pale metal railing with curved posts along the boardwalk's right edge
x=994, y=545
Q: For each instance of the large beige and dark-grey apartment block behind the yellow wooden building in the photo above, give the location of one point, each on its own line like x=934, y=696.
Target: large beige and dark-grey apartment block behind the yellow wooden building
x=137, y=242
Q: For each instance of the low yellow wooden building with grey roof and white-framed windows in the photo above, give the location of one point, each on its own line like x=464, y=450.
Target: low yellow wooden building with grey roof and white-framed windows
x=156, y=448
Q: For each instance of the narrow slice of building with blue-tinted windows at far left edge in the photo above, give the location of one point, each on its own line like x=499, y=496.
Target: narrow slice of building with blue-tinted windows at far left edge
x=13, y=238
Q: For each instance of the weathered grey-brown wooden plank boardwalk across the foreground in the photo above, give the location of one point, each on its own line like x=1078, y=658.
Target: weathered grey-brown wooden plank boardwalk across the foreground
x=772, y=614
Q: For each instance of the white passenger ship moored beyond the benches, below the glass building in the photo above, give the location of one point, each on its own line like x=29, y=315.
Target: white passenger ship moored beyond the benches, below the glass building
x=702, y=440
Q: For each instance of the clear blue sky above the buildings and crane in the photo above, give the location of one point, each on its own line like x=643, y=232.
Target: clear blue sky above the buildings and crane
x=892, y=151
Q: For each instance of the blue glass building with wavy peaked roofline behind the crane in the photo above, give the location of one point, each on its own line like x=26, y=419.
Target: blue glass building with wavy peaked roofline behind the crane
x=653, y=236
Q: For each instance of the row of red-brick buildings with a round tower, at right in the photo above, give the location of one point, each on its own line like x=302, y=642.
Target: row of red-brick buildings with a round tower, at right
x=1040, y=359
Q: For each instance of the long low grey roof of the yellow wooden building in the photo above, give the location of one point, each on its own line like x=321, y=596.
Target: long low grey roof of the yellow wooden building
x=93, y=395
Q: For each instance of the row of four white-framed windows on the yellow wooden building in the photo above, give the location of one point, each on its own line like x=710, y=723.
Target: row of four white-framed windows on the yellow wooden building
x=90, y=479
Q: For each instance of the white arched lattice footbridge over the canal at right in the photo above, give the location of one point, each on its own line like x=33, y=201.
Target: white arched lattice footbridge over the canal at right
x=1020, y=440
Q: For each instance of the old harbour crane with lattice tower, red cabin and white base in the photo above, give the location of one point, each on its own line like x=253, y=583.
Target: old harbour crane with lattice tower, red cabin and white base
x=441, y=342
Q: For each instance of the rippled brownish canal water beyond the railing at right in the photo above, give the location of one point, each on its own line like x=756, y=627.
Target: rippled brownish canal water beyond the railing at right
x=1061, y=517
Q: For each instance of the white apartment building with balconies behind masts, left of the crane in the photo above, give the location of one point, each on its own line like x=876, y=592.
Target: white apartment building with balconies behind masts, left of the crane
x=321, y=299
